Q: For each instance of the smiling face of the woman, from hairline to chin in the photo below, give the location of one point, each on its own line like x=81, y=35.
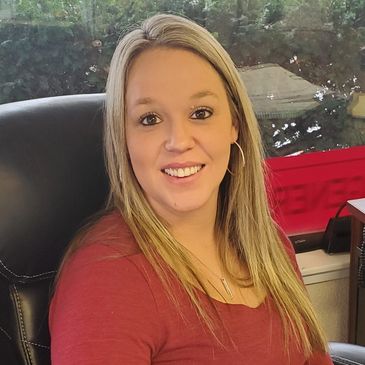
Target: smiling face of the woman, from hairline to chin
x=179, y=130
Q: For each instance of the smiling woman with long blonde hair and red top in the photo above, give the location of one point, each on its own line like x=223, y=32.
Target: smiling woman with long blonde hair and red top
x=186, y=266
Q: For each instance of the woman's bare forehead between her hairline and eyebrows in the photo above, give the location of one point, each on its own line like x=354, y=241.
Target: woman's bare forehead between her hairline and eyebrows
x=171, y=71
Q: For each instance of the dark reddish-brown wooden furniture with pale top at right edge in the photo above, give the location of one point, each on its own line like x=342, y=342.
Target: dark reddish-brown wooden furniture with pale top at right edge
x=357, y=294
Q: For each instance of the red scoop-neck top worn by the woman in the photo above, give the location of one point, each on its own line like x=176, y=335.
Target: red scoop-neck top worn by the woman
x=110, y=309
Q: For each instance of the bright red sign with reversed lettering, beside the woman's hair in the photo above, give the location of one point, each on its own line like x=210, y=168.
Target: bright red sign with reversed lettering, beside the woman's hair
x=308, y=189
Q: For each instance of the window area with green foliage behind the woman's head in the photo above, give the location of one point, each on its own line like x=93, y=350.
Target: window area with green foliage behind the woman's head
x=303, y=61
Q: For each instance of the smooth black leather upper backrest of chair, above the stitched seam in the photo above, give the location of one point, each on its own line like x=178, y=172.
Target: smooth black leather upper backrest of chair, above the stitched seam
x=52, y=176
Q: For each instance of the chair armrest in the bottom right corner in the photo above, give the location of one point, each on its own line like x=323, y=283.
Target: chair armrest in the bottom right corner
x=347, y=354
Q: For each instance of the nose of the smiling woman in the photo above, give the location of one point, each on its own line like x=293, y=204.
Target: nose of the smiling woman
x=179, y=136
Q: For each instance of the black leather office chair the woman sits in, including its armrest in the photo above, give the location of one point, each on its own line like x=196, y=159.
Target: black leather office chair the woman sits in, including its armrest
x=52, y=178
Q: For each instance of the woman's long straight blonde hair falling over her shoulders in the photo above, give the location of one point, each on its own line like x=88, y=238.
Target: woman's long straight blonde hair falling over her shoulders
x=243, y=220
